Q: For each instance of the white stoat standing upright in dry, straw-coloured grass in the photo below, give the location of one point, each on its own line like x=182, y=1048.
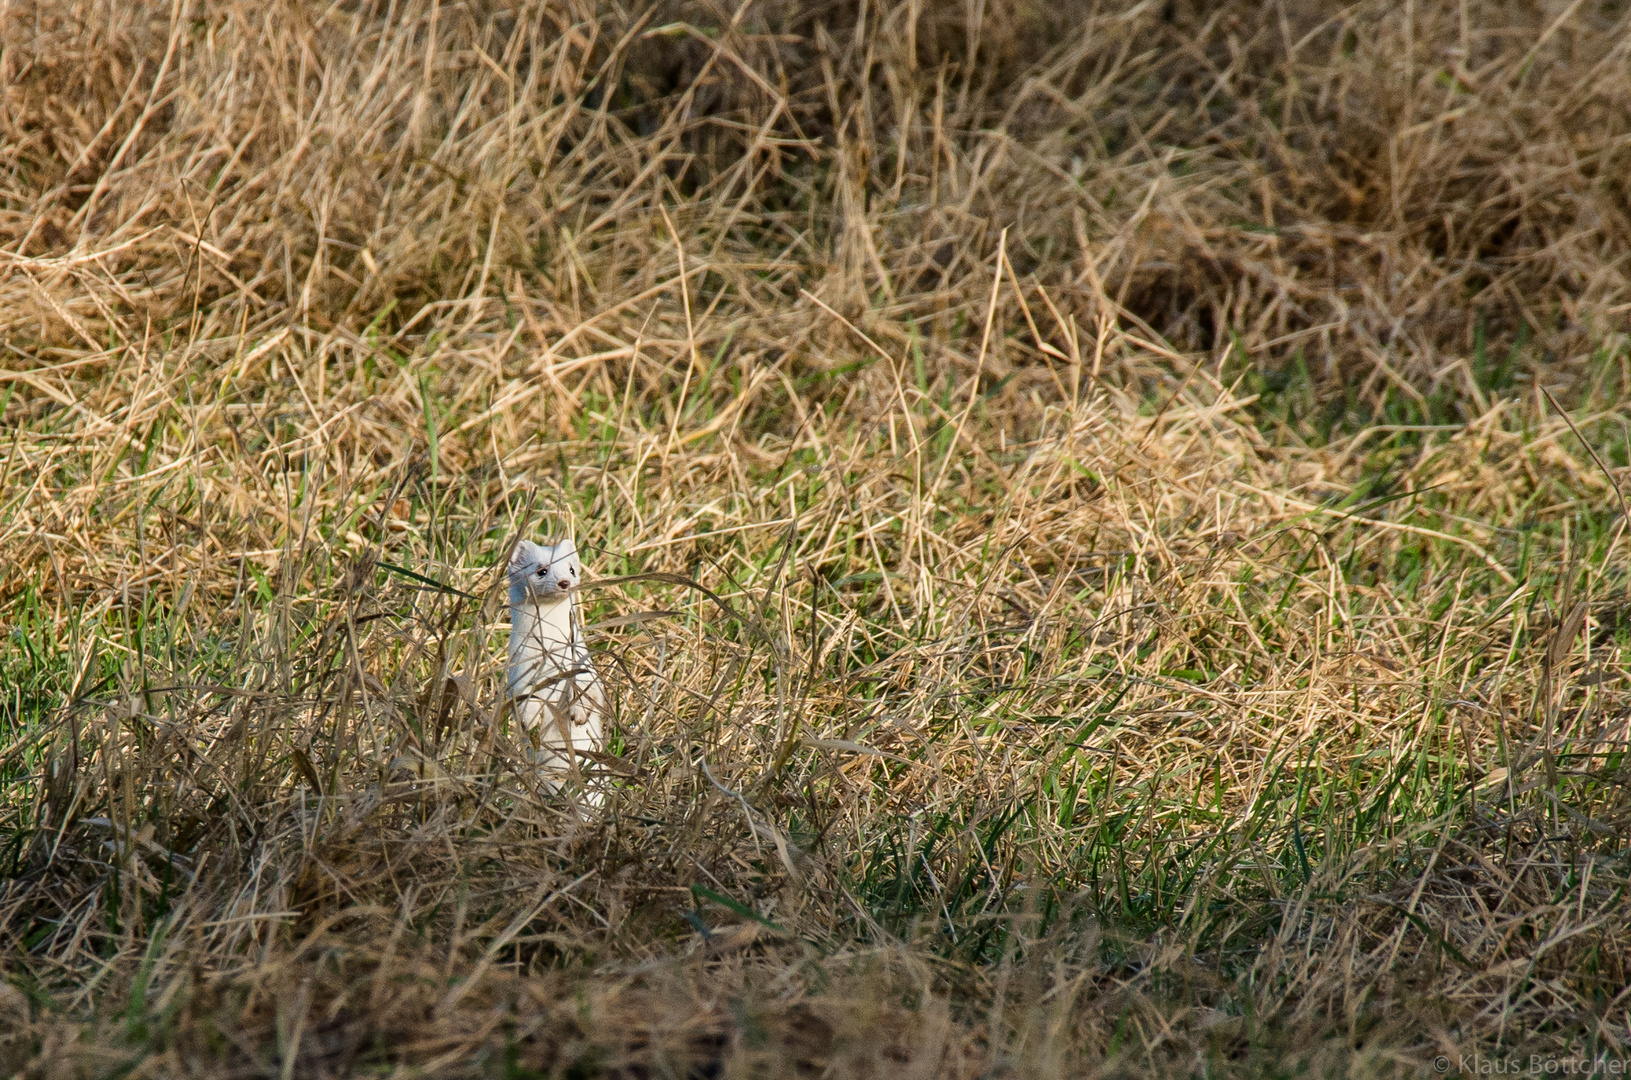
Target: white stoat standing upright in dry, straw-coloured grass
x=552, y=679
